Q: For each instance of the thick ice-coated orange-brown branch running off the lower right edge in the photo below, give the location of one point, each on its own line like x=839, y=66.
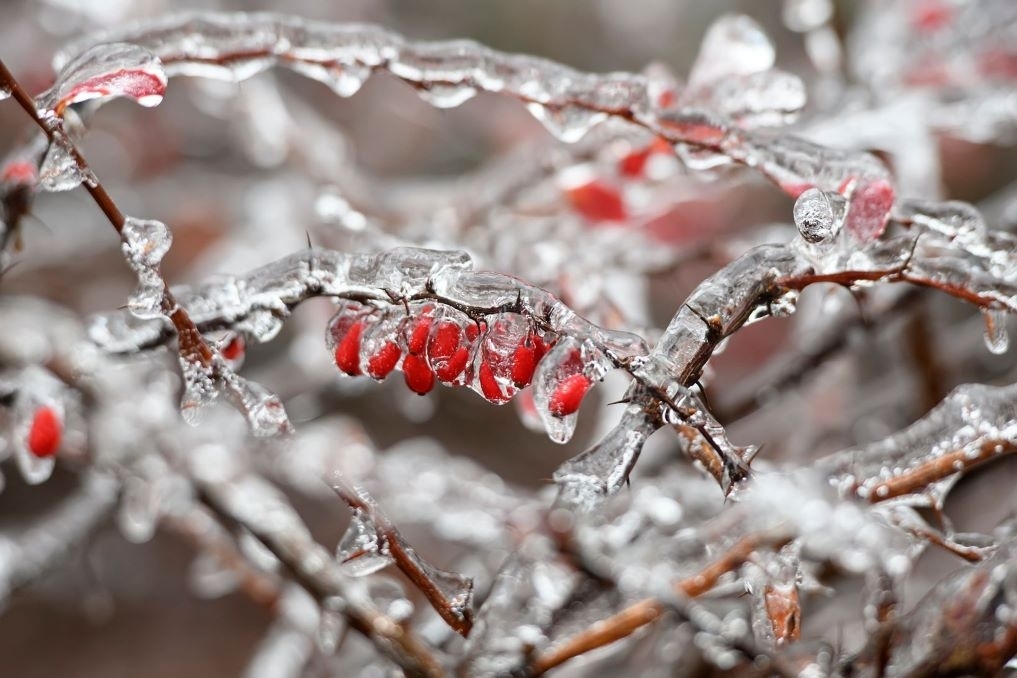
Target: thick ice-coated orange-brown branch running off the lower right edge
x=972, y=426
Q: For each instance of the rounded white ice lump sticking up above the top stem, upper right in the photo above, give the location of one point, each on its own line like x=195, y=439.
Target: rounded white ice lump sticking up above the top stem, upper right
x=735, y=45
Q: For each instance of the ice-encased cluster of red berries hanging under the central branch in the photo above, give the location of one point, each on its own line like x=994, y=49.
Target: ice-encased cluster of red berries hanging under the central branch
x=438, y=345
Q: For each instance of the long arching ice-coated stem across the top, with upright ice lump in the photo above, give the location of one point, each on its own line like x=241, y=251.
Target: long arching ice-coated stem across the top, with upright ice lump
x=238, y=46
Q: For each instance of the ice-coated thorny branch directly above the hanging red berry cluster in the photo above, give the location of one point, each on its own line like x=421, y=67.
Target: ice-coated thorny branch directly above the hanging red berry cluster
x=258, y=303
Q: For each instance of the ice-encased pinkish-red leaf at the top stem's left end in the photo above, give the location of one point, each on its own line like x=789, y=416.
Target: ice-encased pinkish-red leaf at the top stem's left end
x=107, y=72
